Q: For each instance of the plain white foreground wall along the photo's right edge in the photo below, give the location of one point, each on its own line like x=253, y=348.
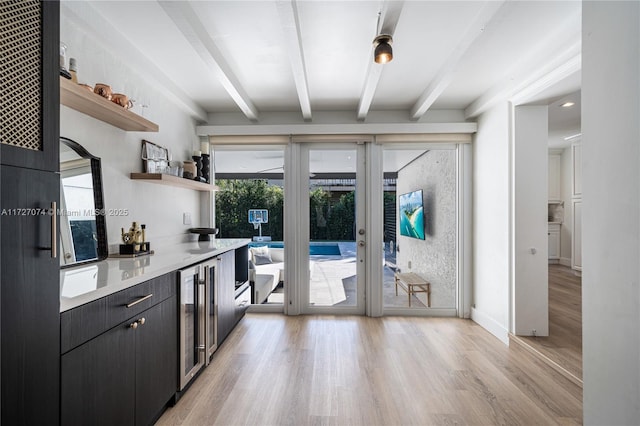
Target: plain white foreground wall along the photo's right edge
x=611, y=212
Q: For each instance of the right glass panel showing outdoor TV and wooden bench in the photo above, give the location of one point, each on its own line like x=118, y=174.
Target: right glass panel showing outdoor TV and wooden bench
x=420, y=229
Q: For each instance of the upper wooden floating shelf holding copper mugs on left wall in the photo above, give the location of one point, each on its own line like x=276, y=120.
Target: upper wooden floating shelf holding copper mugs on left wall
x=79, y=98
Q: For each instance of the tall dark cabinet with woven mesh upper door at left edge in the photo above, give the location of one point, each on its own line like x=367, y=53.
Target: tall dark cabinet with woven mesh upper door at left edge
x=29, y=276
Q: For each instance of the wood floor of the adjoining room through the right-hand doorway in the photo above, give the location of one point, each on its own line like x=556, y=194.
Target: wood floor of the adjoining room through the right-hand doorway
x=564, y=343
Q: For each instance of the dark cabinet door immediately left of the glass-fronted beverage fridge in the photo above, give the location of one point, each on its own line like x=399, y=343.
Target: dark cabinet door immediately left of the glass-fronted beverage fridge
x=156, y=360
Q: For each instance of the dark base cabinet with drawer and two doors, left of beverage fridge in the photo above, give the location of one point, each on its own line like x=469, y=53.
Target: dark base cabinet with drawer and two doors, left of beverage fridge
x=127, y=373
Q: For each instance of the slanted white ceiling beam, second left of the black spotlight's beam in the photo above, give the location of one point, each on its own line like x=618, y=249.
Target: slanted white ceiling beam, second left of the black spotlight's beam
x=187, y=21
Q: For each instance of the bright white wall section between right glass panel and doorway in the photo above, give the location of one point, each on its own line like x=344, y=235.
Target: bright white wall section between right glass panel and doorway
x=491, y=222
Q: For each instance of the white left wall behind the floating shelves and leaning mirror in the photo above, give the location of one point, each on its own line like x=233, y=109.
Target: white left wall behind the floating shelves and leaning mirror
x=159, y=207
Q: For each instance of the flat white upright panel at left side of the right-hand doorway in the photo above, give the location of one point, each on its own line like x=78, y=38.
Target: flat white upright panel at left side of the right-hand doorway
x=530, y=273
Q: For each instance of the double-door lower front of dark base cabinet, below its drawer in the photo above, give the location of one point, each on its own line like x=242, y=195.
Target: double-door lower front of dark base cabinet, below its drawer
x=124, y=376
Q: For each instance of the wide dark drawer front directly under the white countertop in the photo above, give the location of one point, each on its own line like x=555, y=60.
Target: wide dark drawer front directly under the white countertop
x=85, y=322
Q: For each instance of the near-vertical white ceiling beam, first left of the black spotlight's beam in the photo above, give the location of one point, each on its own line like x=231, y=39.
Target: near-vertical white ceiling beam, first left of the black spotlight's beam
x=290, y=23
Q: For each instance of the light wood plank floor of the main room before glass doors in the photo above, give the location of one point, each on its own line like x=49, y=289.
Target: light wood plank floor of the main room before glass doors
x=353, y=370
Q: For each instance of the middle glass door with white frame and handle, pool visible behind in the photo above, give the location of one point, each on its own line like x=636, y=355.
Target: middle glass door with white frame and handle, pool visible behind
x=333, y=241
